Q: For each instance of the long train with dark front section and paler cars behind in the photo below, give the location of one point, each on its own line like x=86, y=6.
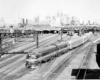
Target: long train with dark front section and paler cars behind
x=44, y=54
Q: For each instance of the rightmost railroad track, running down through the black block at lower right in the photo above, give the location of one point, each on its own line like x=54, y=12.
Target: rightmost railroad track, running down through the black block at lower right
x=84, y=66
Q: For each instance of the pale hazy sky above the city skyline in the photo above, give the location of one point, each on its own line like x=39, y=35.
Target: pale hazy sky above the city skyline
x=11, y=10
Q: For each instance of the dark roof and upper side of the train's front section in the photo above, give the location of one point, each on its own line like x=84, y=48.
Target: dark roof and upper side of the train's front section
x=48, y=49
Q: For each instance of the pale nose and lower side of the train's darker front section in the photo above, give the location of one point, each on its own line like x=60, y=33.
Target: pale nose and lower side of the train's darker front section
x=33, y=62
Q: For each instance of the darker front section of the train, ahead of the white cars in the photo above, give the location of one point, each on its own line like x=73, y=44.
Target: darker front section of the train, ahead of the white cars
x=43, y=52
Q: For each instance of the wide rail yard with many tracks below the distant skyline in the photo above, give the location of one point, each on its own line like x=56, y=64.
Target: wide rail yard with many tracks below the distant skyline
x=56, y=55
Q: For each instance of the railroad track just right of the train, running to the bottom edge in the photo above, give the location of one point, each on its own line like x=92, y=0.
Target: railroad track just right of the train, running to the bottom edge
x=65, y=62
